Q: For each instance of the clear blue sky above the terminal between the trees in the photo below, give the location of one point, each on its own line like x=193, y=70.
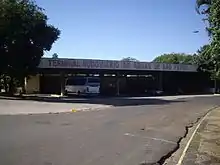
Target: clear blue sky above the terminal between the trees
x=113, y=29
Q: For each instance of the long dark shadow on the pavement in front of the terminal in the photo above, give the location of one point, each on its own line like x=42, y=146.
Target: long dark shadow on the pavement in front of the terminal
x=117, y=101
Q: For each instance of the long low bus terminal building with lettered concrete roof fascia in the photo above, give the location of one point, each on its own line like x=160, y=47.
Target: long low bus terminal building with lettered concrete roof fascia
x=118, y=77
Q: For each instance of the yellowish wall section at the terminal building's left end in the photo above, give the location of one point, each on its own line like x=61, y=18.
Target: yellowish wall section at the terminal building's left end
x=32, y=84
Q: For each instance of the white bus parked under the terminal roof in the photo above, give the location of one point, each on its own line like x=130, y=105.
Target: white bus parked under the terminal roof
x=82, y=85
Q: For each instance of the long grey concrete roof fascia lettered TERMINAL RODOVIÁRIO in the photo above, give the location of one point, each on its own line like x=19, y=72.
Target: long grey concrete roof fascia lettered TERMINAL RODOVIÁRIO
x=113, y=65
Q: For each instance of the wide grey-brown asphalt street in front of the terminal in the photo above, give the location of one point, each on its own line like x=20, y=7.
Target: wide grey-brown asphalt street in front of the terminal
x=127, y=134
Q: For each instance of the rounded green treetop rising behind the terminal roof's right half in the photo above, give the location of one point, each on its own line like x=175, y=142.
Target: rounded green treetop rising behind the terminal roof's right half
x=175, y=58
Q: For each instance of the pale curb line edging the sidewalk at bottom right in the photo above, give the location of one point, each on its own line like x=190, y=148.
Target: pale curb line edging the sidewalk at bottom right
x=190, y=140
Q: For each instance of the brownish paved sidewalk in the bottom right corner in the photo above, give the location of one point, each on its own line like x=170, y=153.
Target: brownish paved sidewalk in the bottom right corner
x=204, y=149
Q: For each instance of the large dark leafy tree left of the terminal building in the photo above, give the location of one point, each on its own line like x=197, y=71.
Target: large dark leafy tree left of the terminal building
x=24, y=36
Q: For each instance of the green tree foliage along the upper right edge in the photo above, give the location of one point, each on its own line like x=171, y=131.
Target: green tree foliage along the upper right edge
x=210, y=55
